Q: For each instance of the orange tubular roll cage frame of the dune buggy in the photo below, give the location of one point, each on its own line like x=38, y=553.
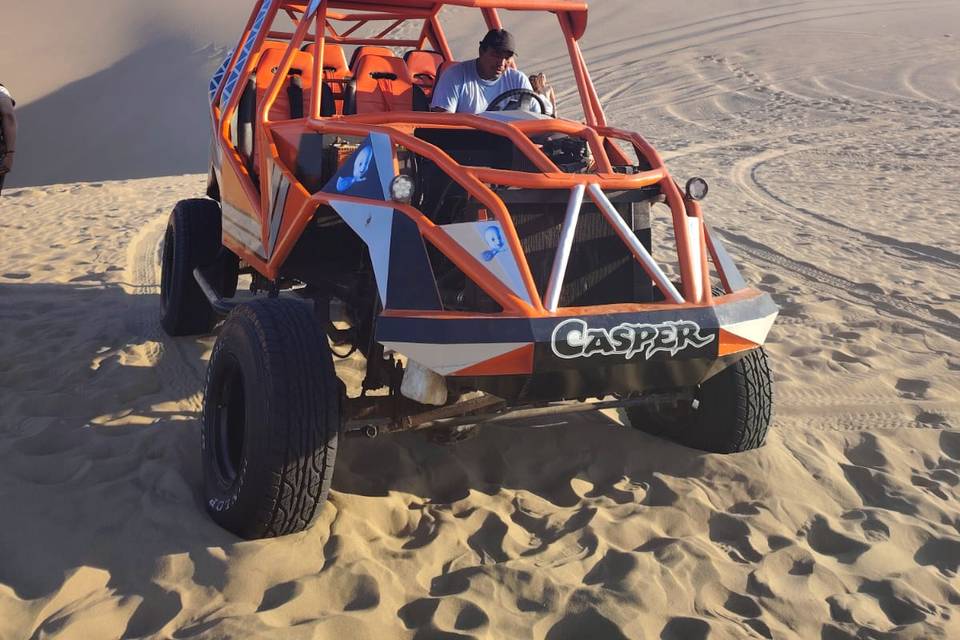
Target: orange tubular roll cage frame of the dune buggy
x=315, y=23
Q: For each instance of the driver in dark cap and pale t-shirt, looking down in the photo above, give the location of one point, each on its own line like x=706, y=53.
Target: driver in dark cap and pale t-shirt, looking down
x=468, y=87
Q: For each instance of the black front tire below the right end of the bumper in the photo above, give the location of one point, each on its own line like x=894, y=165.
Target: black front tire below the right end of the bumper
x=732, y=414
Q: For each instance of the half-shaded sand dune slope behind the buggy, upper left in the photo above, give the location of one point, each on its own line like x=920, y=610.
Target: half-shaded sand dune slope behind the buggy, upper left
x=114, y=89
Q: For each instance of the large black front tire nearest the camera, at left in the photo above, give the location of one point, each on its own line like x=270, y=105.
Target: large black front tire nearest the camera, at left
x=271, y=420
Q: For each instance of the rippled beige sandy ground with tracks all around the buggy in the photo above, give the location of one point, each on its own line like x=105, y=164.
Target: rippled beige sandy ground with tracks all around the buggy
x=829, y=134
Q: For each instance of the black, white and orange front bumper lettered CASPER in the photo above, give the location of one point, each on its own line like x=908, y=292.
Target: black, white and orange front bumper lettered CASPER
x=591, y=354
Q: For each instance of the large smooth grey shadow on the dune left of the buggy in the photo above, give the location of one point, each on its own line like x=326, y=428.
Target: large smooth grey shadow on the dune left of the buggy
x=145, y=116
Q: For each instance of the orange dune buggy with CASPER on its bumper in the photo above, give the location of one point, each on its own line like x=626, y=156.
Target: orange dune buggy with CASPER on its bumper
x=481, y=267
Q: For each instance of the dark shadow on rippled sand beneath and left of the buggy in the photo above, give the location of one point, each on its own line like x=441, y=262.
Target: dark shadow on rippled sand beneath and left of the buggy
x=100, y=465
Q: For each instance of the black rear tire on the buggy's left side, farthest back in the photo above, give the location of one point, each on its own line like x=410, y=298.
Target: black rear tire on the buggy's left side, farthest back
x=192, y=239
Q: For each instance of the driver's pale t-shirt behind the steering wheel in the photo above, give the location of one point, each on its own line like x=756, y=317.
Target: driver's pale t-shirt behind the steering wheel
x=462, y=90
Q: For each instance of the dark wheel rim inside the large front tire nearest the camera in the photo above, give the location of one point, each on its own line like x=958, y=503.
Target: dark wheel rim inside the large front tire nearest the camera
x=229, y=425
